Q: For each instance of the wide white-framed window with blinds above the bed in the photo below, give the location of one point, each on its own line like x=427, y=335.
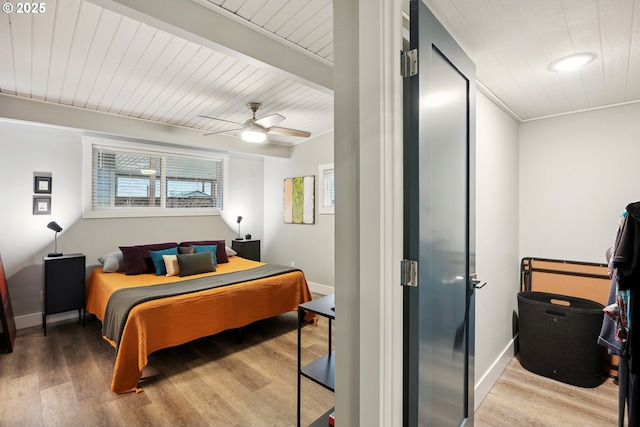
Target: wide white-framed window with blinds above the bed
x=137, y=180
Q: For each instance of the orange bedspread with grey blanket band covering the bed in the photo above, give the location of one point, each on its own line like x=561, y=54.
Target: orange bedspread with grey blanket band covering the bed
x=174, y=318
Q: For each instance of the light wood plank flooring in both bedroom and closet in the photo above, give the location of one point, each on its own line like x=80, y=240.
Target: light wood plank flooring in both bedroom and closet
x=63, y=380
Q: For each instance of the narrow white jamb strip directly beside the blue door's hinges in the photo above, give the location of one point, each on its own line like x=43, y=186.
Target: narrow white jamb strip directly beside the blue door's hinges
x=392, y=206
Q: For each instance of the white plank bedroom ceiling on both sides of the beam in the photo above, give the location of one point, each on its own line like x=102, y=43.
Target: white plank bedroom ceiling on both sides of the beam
x=83, y=55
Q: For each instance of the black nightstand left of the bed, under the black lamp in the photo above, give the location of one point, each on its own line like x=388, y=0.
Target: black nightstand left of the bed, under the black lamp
x=64, y=278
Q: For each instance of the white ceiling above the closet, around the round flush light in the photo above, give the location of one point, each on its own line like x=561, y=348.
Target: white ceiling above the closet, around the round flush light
x=512, y=43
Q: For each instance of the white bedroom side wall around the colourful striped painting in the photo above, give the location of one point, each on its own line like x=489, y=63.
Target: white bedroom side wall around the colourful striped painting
x=310, y=246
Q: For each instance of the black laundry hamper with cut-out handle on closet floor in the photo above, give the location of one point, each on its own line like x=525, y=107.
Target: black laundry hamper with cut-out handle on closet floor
x=558, y=337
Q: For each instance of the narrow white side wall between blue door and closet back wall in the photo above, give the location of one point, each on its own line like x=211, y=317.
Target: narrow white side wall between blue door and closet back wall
x=497, y=260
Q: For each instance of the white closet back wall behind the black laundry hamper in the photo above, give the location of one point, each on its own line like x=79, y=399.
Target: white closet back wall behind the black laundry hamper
x=577, y=173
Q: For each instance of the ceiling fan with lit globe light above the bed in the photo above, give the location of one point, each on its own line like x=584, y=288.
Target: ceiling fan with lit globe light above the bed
x=256, y=130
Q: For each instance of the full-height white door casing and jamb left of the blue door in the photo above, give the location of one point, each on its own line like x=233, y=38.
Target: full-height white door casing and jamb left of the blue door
x=380, y=214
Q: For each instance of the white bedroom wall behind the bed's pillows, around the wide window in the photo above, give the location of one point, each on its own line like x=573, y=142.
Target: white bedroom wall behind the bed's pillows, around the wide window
x=26, y=148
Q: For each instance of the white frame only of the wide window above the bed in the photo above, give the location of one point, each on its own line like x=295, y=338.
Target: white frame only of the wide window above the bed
x=161, y=150
